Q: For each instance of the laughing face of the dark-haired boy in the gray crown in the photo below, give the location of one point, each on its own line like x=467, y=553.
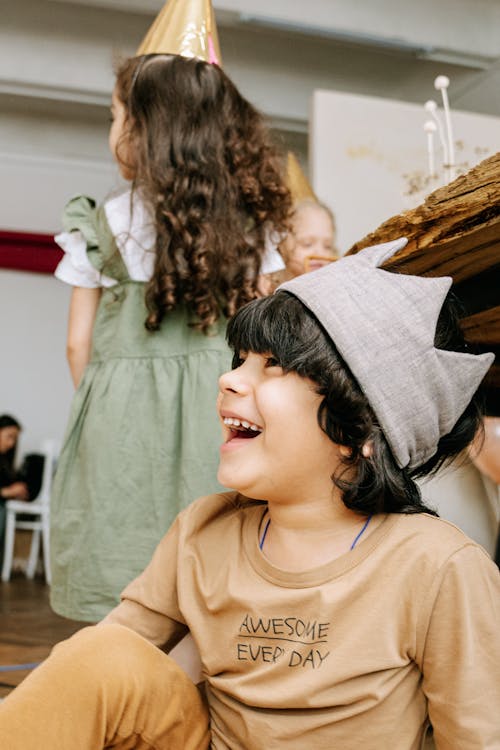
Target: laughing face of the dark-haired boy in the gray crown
x=277, y=451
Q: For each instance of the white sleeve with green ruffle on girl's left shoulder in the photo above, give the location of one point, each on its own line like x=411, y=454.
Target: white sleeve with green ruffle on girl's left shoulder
x=78, y=240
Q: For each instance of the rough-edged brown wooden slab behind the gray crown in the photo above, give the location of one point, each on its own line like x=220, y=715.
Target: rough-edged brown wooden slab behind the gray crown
x=456, y=232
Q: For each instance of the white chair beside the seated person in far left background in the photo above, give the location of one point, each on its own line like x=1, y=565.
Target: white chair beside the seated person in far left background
x=39, y=525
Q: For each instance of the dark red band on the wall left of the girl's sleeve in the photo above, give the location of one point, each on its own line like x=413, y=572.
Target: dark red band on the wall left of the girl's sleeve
x=21, y=251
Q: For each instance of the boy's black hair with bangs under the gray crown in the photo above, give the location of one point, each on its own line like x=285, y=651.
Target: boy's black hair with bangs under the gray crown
x=281, y=325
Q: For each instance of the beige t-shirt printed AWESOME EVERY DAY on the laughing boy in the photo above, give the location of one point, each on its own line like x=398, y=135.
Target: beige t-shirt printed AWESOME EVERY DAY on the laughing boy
x=353, y=654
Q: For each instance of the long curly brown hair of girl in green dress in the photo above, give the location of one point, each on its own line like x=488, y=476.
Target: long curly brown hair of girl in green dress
x=204, y=161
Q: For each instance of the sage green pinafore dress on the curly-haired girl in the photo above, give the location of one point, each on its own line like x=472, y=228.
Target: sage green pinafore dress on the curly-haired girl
x=142, y=440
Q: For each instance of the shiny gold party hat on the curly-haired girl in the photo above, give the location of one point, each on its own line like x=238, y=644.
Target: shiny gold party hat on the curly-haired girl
x=184, y=27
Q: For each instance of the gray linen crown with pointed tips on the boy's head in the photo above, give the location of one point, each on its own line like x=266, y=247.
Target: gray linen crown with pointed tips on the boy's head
x=383, y=324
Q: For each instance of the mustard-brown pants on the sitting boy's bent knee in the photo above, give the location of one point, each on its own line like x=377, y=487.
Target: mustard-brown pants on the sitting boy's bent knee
x=105, y=687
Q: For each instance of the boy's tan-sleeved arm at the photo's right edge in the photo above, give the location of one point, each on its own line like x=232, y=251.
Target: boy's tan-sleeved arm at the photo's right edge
x=461, y=658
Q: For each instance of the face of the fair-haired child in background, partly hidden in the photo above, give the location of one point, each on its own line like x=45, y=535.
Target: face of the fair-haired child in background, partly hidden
x=312, y=234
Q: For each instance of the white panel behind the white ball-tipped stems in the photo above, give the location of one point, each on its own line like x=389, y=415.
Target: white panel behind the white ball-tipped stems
x=364, y=151
